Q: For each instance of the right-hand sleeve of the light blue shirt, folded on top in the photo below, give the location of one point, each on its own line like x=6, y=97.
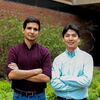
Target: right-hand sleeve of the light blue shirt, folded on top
x=83, y=80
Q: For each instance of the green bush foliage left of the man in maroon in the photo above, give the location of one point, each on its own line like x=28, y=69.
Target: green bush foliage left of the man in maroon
x=10, y=35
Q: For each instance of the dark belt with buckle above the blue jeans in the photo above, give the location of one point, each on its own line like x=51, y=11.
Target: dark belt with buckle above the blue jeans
x=28, y=93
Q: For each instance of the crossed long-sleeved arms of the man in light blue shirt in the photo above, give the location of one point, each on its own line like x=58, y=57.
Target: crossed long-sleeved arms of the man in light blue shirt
x=71, y=82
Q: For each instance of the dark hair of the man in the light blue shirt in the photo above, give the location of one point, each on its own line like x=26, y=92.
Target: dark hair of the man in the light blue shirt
x=72, y=27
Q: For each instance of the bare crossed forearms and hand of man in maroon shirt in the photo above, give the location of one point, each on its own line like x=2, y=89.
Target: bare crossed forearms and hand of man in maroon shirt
x=34, y=75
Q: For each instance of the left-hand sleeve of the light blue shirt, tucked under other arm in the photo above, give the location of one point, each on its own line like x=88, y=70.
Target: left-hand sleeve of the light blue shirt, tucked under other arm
x=56, y=81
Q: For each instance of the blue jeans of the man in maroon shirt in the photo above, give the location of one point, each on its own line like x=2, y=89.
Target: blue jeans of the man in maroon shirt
x=40, y=96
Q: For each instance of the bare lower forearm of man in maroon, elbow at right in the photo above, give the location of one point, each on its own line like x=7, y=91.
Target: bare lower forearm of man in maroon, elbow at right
x=39, y=78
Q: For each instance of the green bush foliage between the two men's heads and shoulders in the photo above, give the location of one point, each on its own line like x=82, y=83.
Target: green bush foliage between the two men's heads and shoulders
x=51, y=38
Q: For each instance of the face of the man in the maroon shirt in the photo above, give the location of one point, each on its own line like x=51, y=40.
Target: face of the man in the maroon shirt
x=31, y=31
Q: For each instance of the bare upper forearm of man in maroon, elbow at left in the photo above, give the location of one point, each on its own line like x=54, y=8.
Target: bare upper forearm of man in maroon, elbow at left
x=23, y=74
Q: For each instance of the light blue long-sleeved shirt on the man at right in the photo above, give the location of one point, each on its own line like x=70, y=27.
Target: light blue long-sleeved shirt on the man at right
x=72, y=74
